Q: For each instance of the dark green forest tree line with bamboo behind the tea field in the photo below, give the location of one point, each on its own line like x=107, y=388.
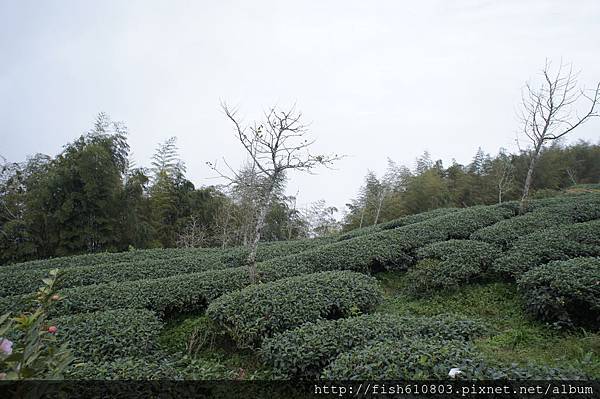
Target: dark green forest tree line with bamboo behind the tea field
x=91, y=197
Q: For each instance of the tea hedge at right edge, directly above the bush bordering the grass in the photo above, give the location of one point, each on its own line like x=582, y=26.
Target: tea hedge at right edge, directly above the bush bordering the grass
x=557, y=243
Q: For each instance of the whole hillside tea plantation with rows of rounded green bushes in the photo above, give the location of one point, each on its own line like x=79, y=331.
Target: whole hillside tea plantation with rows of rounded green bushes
x=486, y=289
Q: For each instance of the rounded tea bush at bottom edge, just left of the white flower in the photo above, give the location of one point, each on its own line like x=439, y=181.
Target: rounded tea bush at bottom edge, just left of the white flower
x=405, y=359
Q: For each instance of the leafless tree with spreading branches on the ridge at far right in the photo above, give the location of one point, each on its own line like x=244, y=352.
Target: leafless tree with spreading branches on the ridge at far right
x=549, y=112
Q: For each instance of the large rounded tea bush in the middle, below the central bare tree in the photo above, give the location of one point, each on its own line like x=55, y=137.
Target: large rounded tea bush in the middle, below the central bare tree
x=259, y=311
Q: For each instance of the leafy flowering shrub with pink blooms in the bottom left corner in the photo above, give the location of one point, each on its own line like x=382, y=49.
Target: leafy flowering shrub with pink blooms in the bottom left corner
x=36, y=354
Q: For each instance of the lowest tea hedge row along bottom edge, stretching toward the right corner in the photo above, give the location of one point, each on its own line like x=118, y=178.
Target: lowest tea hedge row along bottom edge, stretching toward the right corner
x=410, y=359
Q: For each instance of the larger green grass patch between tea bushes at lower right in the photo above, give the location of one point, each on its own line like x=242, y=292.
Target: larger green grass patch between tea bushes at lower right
x=515, y=337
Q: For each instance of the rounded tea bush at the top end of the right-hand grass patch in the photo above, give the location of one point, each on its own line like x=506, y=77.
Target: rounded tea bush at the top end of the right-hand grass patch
x=449, y=264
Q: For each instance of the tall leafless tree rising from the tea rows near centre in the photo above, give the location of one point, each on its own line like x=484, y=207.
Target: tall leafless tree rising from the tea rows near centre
x=276, y=145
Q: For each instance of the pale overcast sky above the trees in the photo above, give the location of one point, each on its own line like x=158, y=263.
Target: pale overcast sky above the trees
x=375, y=79
